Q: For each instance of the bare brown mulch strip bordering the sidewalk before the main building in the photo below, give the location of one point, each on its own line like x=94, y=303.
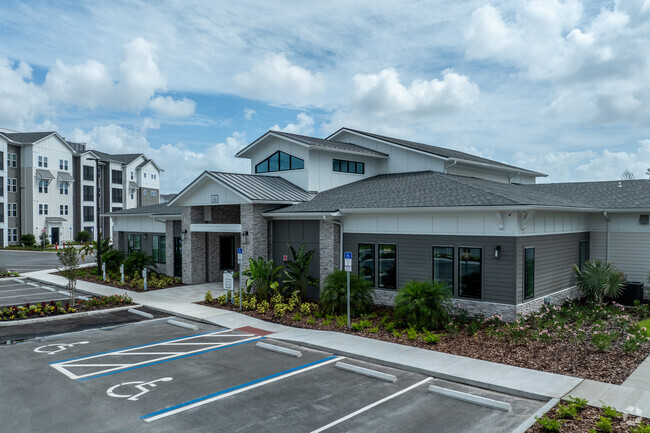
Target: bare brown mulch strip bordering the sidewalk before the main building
x=579, y=360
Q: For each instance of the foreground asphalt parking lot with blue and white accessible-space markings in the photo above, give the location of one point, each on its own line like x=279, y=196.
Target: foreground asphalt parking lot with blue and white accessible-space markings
x=153, y=376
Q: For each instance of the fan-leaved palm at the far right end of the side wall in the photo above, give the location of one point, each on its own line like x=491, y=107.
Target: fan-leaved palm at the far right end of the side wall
x=597, y=279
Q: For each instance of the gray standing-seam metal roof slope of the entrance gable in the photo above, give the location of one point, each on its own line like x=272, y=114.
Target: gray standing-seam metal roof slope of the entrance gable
x=262, y=188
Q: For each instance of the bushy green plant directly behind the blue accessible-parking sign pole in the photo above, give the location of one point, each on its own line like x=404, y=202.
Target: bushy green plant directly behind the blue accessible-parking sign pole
x=333, y=296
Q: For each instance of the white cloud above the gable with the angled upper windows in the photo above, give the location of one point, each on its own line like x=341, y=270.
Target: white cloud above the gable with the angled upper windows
x=277, y=80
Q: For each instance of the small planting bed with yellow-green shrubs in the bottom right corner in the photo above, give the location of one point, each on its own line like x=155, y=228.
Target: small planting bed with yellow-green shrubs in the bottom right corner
x=573, y=415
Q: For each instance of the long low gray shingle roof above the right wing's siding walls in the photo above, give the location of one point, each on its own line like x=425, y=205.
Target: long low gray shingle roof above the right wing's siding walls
x=432, y=189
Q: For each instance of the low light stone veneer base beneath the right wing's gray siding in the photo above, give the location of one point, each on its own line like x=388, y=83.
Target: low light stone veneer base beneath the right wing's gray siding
x=487, y=309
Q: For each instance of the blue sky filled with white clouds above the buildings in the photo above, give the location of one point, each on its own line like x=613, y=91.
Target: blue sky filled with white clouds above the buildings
x=560, y=87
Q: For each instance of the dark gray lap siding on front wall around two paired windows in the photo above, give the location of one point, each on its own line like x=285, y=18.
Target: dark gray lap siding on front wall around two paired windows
x=415, y=259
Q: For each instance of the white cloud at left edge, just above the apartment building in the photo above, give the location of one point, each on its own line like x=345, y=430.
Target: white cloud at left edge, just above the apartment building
x=21, y=101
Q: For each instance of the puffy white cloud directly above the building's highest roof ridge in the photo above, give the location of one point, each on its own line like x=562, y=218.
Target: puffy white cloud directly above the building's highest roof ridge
x=384, y=95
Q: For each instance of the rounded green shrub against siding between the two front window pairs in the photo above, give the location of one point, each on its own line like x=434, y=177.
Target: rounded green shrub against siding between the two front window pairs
x=423, y=304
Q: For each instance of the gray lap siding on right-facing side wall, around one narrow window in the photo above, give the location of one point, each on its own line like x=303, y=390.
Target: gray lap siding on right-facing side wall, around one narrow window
x=555, y=256
